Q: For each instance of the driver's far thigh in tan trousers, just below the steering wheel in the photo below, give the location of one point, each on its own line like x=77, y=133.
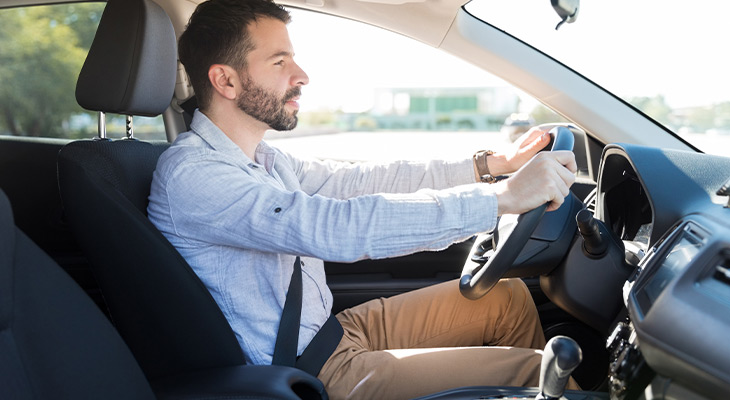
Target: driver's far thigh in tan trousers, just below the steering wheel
x=439, y=316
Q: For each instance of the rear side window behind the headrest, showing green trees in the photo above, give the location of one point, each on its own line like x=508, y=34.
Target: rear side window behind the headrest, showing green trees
x=43, y=49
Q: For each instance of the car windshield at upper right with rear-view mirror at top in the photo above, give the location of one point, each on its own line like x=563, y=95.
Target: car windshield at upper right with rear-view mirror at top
x=668, y=59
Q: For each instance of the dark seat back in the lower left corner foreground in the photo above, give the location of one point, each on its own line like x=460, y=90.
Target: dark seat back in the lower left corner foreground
x=54, y=341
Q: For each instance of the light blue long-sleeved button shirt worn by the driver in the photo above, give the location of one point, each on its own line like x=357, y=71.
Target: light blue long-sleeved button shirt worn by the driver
x=240, y=223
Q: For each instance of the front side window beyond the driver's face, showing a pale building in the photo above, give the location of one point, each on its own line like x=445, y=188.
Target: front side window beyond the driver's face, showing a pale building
x=376, y=95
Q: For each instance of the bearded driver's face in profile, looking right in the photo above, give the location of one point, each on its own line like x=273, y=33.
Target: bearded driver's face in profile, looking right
x=272, y=81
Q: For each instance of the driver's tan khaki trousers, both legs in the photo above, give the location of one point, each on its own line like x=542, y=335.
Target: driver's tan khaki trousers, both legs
x=433, y=339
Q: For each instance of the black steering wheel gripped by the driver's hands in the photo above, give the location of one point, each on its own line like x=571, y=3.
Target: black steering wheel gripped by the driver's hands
x=473, y=285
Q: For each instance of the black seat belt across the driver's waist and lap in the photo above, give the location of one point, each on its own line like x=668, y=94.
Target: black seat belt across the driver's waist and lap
x=322, y=345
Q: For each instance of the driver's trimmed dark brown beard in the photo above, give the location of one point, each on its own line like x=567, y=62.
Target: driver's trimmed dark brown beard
x=266, y=106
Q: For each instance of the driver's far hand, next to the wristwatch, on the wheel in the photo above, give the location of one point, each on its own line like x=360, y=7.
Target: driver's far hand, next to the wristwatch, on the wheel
x=523, y=149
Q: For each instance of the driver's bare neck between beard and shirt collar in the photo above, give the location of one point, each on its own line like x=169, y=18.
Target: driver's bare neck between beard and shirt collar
x=245, y=131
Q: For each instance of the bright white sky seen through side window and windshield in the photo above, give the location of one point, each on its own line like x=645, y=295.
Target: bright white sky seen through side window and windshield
x=631, y=47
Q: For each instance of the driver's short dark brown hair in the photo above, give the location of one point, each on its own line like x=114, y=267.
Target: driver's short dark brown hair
x=217, y=33
